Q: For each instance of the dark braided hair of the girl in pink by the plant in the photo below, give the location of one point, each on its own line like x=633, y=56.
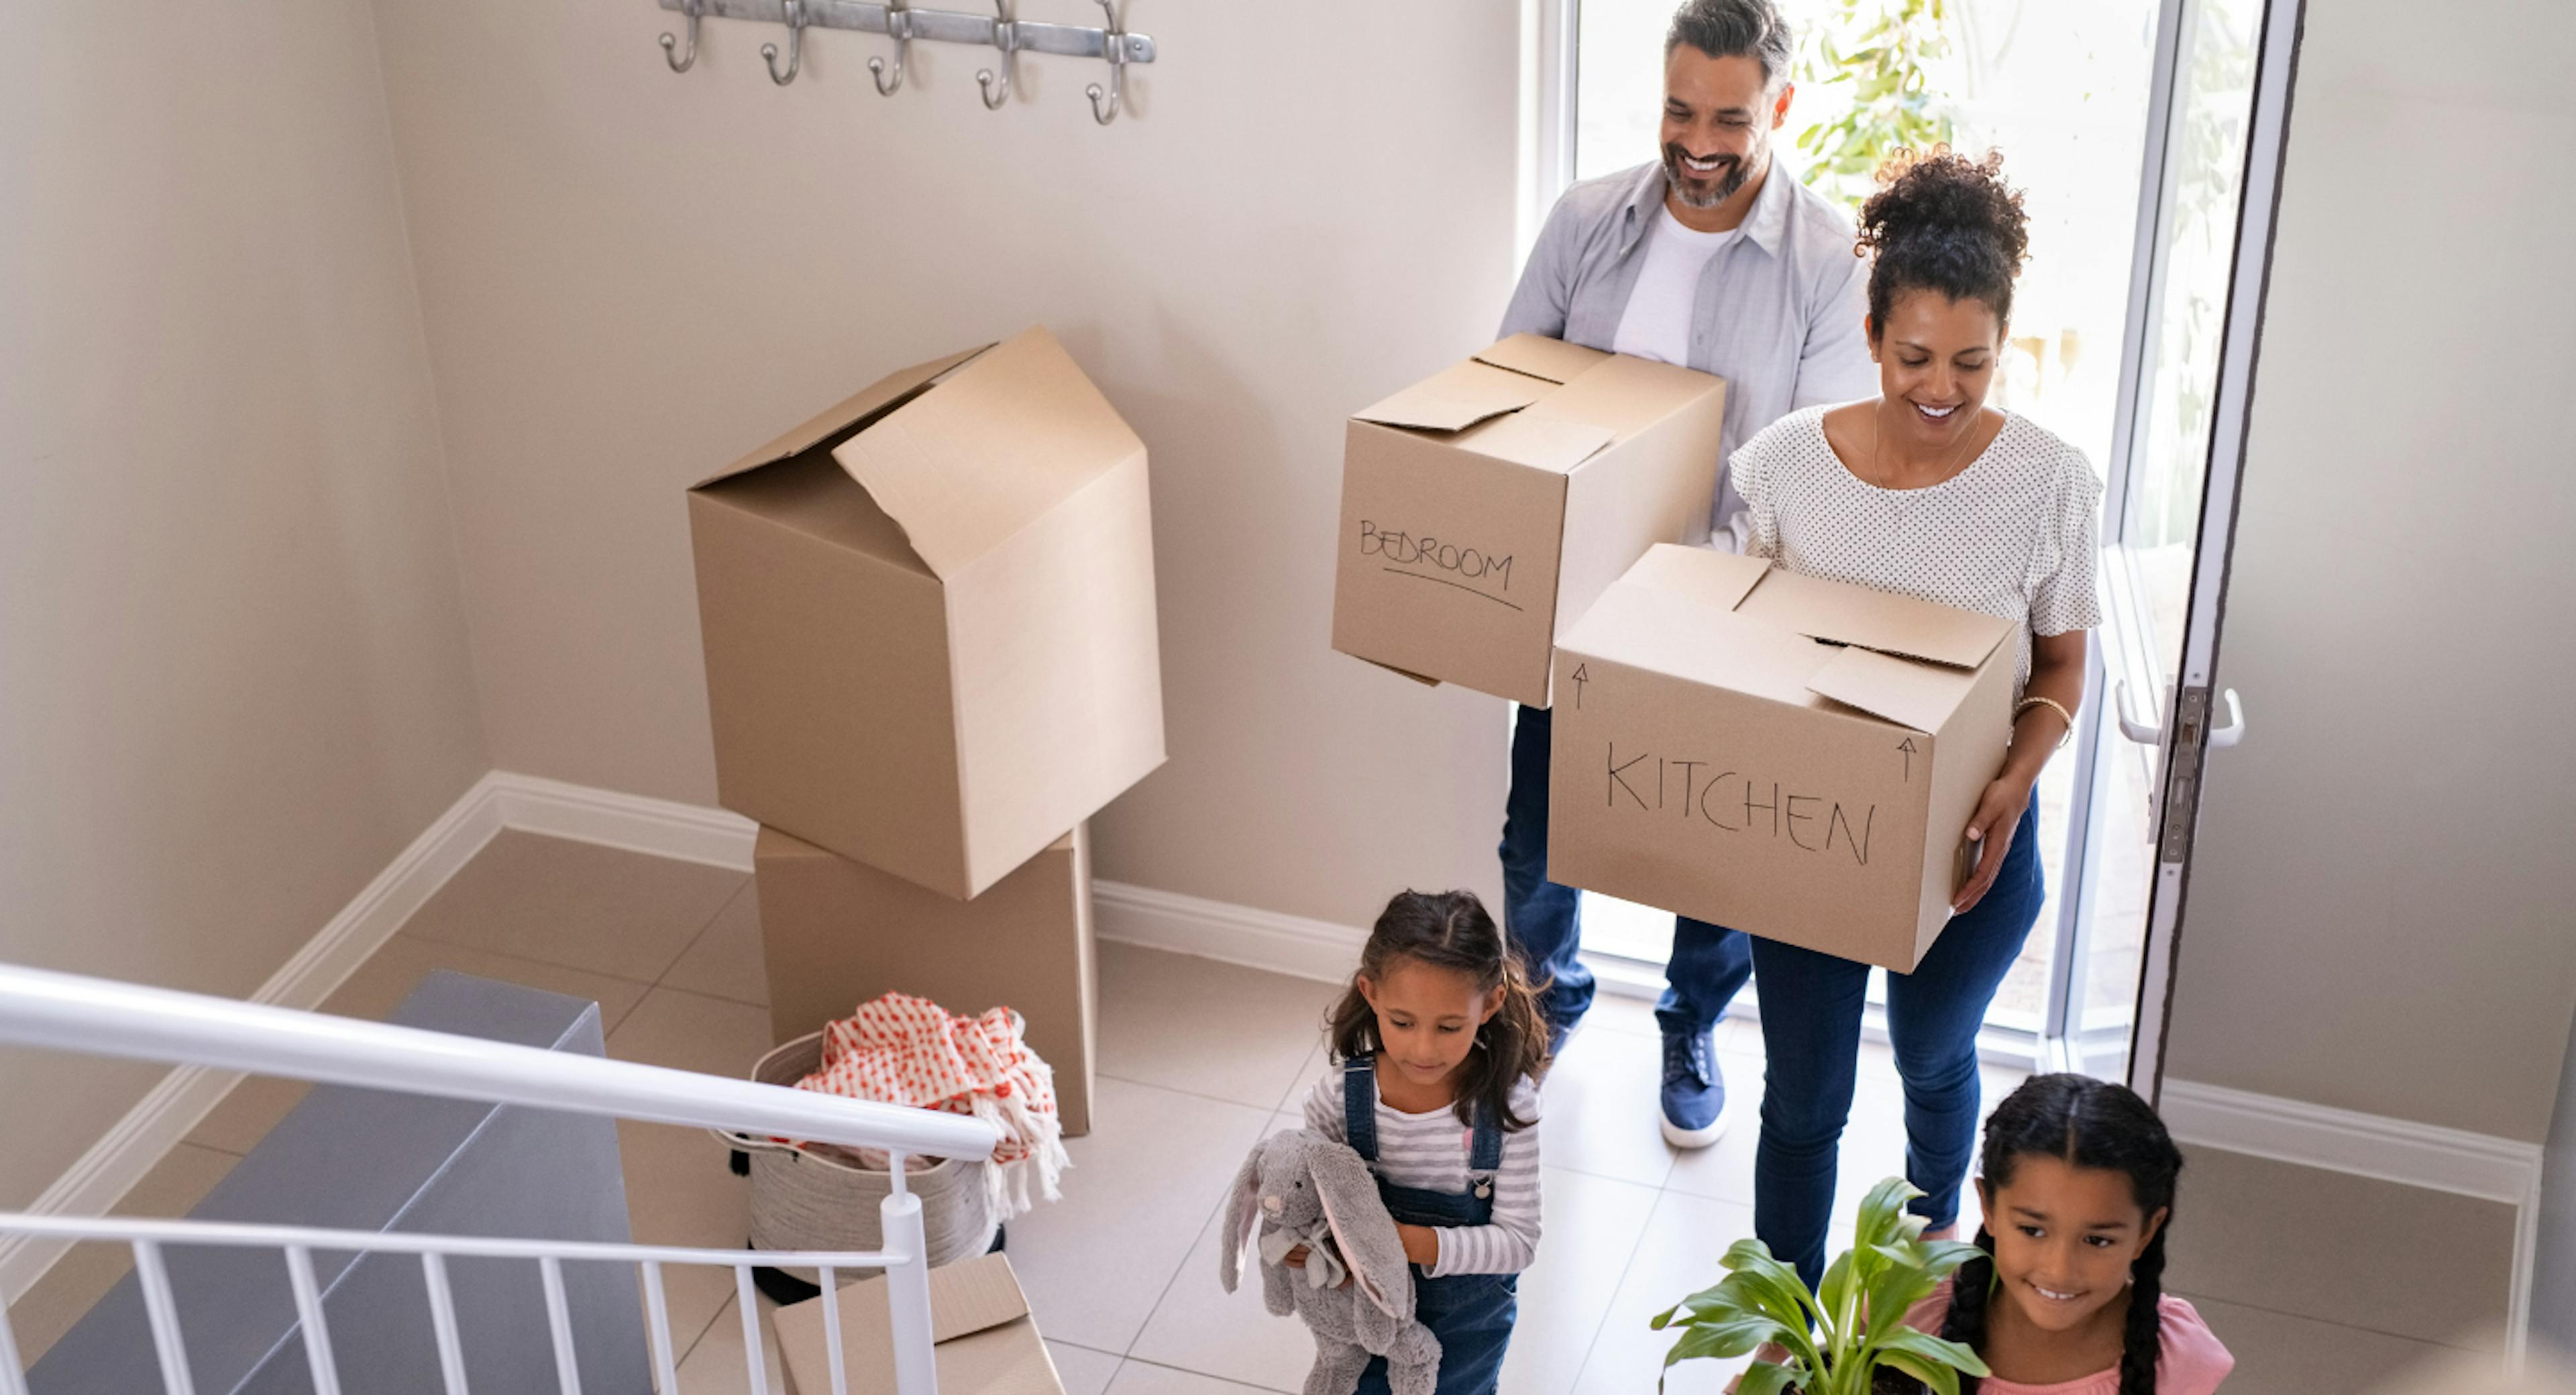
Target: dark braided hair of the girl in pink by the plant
x=2090, y=1126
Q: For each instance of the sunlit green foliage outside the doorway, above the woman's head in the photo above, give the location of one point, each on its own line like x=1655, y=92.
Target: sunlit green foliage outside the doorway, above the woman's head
x=1871, y=53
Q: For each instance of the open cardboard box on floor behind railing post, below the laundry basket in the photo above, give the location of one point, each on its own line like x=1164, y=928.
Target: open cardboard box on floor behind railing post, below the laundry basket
x=988, y=1345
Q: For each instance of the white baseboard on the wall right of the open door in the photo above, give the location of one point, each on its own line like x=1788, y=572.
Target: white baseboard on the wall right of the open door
x=2441, y=1159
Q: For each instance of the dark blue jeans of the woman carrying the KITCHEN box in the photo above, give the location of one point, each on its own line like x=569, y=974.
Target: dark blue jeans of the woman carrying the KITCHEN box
x=1812, y=1039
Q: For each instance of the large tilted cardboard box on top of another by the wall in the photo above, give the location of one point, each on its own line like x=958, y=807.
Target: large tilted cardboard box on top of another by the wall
x=929, y=619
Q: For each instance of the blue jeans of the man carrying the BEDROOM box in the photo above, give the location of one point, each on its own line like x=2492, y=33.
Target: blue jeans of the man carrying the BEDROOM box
x=1709, y=964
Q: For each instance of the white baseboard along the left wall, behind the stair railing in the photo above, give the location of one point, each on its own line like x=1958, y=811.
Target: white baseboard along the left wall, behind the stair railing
x=189, y=1093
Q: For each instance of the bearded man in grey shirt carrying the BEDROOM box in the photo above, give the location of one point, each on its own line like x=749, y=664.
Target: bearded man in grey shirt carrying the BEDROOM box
x=1722, y=261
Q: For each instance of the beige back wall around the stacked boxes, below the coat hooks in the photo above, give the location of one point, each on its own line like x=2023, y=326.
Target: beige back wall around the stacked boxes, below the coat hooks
x=630, y=277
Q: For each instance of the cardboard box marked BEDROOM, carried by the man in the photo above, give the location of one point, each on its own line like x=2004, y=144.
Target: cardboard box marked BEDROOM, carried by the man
x=1485, y=508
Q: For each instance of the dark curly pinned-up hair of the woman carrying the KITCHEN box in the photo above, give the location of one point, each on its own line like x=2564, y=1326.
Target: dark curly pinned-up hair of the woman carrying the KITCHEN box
x=1944, y=223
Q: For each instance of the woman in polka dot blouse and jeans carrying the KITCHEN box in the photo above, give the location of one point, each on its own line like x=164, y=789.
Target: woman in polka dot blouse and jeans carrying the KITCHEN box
x=1926, y=493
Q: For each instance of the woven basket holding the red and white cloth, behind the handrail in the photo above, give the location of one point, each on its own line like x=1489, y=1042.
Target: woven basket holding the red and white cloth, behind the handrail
x=823, y=1201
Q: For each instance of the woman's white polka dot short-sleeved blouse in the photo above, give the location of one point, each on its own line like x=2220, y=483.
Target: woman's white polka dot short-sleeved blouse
x=2008, y=537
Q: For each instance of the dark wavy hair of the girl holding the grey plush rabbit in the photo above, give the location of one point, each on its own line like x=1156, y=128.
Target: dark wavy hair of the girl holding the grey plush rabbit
x=1454, y=930
